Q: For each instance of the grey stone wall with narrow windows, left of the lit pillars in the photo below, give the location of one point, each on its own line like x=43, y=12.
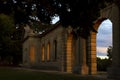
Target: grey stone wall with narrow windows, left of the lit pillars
x=52, y=38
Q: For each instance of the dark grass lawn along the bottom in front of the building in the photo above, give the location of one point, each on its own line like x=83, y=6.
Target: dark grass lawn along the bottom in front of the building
x=20, y=74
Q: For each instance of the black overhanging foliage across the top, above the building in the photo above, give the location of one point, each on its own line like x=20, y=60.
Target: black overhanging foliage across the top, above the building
x=76, y=13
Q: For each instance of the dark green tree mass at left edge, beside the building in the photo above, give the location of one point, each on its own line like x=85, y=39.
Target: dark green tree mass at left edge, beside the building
x=10, y=41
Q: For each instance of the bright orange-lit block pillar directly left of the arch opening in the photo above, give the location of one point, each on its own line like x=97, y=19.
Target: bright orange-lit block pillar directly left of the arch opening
x=92, y=54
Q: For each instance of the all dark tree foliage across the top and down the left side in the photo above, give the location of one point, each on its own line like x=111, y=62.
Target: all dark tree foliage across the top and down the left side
x=79, y=14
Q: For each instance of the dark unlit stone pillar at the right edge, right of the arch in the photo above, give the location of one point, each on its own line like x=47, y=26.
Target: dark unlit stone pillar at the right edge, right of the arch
x=114, y=70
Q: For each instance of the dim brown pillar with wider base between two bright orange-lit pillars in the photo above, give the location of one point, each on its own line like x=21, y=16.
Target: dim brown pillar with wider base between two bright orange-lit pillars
x=83, y=64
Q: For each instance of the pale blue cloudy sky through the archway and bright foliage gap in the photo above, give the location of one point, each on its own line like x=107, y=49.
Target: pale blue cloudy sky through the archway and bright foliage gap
x=104, y=37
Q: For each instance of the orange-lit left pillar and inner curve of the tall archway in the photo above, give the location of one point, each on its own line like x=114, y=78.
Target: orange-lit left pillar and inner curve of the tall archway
x=93, y=52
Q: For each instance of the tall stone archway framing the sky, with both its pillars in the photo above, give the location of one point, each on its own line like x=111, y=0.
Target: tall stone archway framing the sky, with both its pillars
x=111, y=12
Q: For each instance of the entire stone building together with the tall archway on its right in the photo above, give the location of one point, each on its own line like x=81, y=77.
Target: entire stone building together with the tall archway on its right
x=57, y=49
